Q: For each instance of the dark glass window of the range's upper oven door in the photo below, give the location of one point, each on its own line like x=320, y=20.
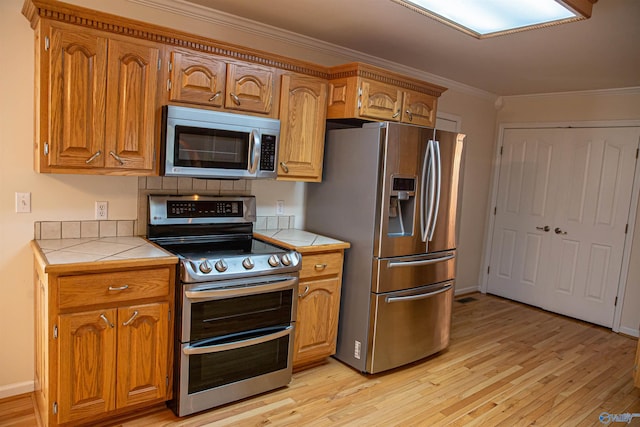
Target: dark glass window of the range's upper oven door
x=217, y=318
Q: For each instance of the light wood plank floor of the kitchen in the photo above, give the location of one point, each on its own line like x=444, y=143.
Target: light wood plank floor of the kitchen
x=508, y=365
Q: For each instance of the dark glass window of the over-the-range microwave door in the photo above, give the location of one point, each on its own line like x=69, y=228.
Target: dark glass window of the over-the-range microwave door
x=210, y=148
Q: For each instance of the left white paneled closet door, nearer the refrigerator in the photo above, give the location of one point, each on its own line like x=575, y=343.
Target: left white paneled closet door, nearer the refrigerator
x=526, y=190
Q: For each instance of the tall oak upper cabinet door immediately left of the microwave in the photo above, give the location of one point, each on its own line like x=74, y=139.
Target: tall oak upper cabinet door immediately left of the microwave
x=132, y=104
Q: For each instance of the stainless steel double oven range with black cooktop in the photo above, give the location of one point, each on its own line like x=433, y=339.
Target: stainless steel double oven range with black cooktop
x=236, y=304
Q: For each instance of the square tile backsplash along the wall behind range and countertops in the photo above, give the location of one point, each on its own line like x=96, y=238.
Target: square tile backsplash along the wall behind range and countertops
x=155, y=185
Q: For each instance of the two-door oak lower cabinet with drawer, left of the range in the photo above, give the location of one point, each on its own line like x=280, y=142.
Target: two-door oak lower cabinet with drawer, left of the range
x=102, y=355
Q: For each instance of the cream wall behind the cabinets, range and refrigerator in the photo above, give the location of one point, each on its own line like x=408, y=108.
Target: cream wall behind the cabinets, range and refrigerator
x=72, y=197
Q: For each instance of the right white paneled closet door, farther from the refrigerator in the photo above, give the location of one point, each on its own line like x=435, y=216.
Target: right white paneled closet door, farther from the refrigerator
x=593, y=209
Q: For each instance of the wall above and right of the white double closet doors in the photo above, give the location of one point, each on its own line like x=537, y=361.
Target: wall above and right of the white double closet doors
x=598, y=106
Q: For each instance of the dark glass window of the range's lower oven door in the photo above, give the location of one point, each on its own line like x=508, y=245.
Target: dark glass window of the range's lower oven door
x=210, y=370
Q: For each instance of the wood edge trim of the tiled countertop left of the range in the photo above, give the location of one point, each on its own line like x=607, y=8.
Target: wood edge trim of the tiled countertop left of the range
x=88, y=266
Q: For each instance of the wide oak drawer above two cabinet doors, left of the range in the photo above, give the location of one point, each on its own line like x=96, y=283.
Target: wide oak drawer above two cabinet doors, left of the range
x=101, y=288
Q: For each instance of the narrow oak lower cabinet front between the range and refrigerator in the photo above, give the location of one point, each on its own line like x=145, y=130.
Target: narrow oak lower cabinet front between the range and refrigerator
x=318, y=308
